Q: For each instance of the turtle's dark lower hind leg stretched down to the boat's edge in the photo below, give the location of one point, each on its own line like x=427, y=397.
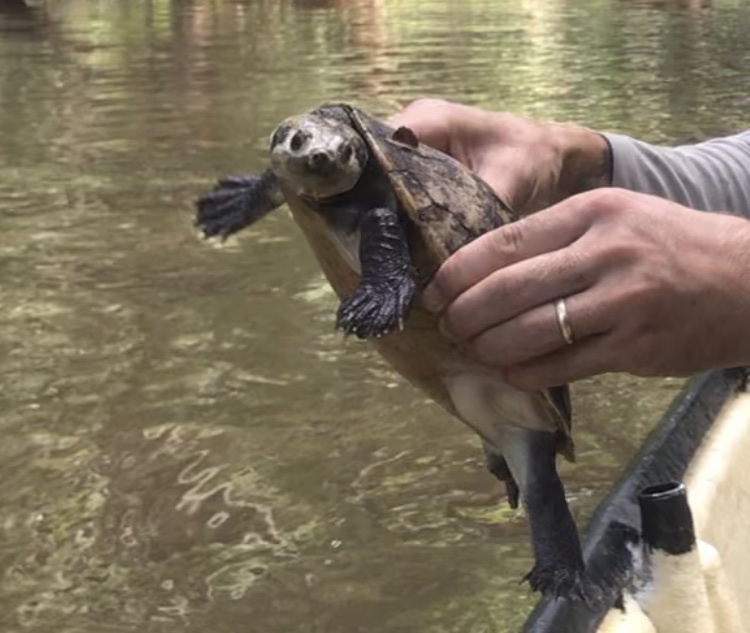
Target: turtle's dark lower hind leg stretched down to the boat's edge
x=559, y=568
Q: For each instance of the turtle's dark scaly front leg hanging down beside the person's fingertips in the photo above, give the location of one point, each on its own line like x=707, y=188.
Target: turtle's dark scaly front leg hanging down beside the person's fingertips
x=381, y=301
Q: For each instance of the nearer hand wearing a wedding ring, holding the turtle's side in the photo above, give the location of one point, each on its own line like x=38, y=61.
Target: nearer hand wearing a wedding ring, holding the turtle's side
x=651, y=287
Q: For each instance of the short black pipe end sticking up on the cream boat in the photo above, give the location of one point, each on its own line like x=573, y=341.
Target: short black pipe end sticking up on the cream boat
x=666, y=520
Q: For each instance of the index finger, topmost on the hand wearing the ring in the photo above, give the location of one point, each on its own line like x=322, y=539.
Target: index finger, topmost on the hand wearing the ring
x=544, y=232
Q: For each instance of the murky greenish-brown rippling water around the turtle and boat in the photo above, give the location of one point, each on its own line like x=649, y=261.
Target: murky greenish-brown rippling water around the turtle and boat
x=187, y=445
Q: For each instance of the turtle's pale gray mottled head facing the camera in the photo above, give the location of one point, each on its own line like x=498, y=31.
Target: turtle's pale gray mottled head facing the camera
x=317, y=157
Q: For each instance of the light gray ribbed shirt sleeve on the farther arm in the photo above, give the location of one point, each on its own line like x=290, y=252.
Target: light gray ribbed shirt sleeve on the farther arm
x=711, y=176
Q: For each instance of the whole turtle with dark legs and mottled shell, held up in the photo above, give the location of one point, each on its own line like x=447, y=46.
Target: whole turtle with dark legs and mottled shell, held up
x=381, y=212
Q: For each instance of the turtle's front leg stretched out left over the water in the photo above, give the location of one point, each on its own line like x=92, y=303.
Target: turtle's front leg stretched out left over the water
x=236, y=202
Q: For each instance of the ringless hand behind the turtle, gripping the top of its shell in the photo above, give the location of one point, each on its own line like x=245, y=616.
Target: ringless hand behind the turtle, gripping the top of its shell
x=530, y=165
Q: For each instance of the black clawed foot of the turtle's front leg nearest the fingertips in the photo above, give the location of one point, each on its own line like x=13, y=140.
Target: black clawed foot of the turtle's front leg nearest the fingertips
x=376, y=308
